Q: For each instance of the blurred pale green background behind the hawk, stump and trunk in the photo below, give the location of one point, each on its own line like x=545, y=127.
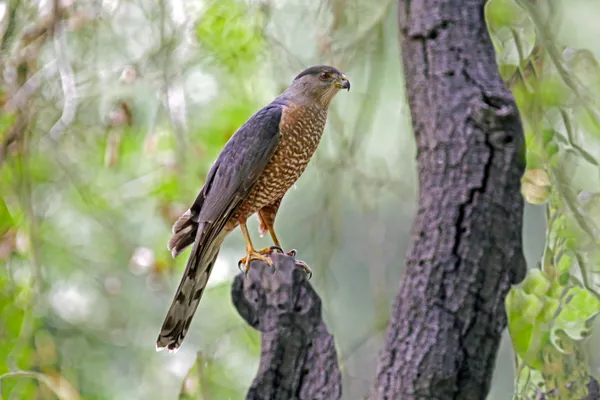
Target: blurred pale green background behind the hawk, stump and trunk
x=113, y=113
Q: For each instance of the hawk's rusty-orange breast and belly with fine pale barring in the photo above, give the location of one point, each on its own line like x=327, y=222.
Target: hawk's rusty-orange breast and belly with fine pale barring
x=301, y=130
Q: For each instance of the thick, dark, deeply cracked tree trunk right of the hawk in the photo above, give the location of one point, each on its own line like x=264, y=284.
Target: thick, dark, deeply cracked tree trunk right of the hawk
x=448, y=316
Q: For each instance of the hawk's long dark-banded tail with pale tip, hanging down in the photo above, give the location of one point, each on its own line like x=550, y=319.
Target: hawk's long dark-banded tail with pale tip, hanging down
x=185, y=302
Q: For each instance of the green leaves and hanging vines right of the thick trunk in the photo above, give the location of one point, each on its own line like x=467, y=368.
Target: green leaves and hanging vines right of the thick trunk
x=551, y=311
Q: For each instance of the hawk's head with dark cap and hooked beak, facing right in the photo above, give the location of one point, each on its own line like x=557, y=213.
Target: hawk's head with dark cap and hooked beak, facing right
x=320, y=83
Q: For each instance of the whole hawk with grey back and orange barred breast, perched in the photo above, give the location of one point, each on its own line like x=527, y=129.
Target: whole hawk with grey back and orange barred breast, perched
x=255, y=169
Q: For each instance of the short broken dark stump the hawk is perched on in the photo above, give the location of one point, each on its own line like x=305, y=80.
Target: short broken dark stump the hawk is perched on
x=298, y=357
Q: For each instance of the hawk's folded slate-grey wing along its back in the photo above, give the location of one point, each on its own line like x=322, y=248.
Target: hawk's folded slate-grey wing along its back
x=232, y=176
